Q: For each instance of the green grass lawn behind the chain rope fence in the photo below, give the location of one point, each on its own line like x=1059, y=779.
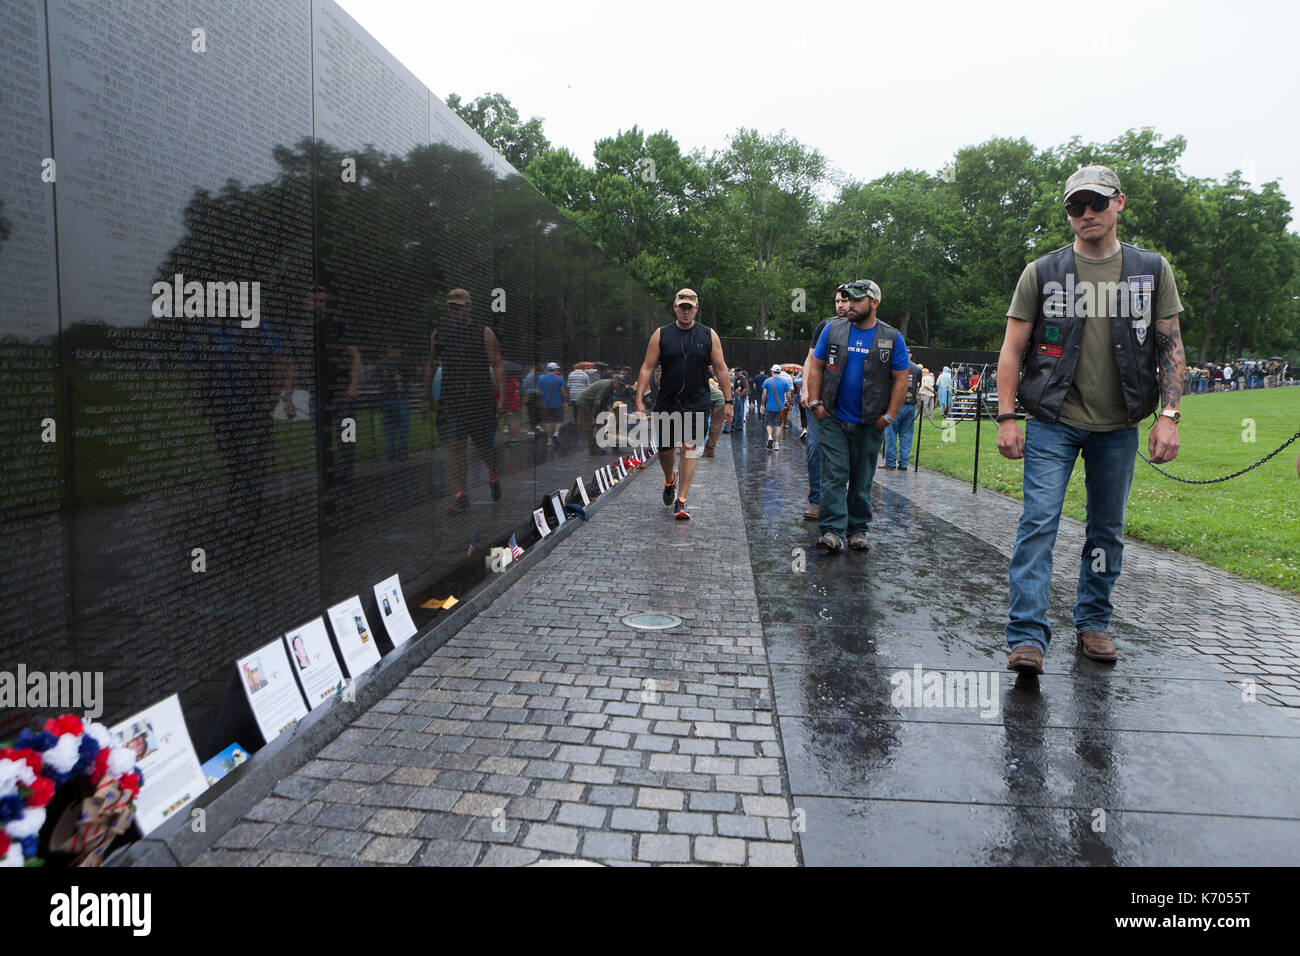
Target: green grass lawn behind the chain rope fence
x=1250, y=526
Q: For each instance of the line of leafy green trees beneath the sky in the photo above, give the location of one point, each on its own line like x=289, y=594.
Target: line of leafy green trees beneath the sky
x=766, y=228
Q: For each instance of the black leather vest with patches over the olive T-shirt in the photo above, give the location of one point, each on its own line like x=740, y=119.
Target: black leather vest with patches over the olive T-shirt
x=1058, y=338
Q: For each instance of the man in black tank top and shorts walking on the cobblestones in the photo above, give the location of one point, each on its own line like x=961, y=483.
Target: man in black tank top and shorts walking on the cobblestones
x=684, y=351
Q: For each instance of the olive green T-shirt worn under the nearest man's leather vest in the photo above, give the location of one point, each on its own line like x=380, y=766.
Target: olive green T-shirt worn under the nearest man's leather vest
x=1095, y=401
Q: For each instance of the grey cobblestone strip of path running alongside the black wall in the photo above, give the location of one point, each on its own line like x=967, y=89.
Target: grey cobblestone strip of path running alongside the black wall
x=548, y=729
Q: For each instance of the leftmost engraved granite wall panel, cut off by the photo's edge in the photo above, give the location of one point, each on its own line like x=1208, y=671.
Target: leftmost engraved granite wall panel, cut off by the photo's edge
x=33, y=481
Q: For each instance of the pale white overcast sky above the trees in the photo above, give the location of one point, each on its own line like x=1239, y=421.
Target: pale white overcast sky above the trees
x=877, y=88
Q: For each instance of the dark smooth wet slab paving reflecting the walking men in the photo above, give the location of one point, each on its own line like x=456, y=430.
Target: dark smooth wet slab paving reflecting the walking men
x=908, y=742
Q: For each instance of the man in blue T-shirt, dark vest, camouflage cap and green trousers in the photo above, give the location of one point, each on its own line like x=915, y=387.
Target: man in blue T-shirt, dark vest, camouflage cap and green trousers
x=857, y=378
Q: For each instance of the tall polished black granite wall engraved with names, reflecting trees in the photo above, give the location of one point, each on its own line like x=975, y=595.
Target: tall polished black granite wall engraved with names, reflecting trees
x=283, y=310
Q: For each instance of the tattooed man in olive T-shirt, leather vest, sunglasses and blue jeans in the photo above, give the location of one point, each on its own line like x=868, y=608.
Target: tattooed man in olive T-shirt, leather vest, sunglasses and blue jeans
x=1089, y=364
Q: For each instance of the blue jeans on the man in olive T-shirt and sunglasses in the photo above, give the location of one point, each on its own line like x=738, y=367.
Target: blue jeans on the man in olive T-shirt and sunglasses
x=1051, y=451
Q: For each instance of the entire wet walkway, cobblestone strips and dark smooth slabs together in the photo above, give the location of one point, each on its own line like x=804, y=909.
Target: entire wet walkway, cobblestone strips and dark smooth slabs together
x=811, y=708
